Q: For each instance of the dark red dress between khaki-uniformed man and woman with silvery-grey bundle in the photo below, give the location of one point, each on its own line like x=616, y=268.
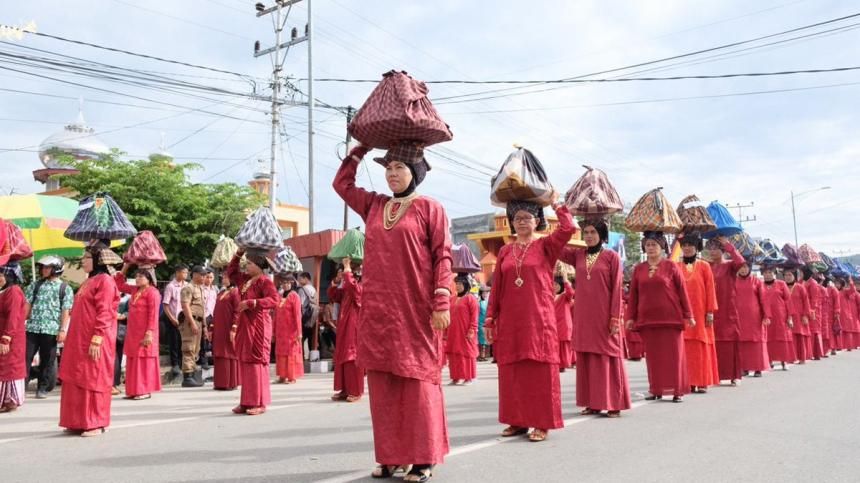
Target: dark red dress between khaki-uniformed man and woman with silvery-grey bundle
x=226, y=360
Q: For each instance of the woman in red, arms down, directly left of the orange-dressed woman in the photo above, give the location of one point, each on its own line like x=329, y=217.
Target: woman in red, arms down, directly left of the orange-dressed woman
x=658, y=309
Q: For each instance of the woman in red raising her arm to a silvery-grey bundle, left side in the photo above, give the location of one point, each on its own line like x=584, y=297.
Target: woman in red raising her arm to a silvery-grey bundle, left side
x=252, y=332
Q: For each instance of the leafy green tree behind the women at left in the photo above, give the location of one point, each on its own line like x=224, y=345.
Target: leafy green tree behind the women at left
x=157, y=195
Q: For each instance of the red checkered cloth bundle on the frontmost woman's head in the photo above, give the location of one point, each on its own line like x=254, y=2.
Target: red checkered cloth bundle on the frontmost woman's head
x=398, y=109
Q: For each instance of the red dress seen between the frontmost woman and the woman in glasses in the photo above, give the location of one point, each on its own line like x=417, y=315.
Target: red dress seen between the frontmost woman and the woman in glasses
x=461, y=345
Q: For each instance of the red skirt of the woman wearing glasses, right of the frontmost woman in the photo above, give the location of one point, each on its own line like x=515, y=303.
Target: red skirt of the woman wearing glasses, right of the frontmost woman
x=530, y=395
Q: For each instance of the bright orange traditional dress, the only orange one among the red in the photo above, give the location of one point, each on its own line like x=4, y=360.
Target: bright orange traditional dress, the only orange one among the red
x=699, y=342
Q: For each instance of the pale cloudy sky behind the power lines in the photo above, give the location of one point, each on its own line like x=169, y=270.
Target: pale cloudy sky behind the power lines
x=687, y=136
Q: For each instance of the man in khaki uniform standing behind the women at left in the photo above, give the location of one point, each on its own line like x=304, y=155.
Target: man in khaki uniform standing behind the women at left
x=191, y=324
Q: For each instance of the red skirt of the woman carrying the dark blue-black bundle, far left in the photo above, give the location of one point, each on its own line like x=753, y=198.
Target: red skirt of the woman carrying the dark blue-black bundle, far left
x=82, y=409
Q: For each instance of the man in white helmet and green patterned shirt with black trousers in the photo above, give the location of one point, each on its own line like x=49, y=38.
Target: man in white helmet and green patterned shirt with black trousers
x=49, y=301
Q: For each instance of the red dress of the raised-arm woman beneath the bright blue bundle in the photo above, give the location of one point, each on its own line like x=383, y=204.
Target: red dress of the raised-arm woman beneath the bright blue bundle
x=726, y=322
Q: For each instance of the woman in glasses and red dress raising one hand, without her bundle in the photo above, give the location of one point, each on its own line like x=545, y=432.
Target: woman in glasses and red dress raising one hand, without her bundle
x=521, y=322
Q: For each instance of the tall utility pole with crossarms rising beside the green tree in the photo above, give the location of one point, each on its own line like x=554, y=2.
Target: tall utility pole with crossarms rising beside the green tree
x=277, y=65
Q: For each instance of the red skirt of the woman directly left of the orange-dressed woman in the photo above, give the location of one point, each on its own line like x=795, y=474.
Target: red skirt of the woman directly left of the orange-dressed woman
x=666, y=360
